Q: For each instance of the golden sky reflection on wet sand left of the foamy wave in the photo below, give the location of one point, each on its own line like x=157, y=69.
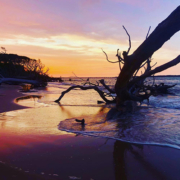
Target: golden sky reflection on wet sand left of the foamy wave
x=42, y=120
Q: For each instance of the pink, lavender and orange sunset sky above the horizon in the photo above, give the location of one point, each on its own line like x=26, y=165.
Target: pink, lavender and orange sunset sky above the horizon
x=69, y=35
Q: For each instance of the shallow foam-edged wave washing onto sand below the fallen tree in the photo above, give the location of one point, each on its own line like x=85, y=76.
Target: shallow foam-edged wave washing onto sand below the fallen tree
x=147, y=126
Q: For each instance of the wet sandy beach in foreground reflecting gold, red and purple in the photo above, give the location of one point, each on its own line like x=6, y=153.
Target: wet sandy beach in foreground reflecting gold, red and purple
x=33, y=146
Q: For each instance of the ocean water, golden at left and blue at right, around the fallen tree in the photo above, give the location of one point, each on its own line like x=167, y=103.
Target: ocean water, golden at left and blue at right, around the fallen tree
x=155, y=123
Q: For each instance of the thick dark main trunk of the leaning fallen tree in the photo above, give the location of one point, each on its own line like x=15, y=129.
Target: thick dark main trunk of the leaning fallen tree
x=163, y=32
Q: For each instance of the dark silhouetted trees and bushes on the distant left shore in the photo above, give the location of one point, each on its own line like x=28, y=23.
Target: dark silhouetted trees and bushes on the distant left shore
x=22, y=67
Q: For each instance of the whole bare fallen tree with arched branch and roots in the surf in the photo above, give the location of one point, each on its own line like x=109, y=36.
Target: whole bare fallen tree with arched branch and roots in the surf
x=128, y=85
